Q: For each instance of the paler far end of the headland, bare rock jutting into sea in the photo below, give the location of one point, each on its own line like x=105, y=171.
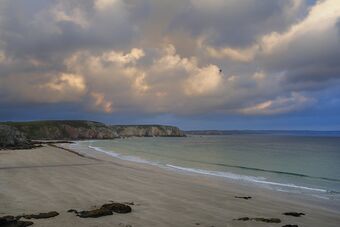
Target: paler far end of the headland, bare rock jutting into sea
x=147, y=130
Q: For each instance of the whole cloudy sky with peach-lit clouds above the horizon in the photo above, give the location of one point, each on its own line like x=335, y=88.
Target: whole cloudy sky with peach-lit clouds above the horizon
x=196, y=64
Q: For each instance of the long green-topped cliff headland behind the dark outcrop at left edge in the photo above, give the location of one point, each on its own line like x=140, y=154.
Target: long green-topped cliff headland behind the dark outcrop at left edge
x=78, y=130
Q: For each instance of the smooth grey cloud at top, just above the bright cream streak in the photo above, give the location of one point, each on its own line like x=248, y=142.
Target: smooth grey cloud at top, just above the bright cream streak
x=237, y=23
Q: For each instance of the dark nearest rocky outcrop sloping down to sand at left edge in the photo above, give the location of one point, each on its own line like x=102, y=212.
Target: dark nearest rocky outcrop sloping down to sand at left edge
x=11, y=138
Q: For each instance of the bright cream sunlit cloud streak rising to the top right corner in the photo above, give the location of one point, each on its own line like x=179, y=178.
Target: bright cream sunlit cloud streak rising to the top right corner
x=321, y=20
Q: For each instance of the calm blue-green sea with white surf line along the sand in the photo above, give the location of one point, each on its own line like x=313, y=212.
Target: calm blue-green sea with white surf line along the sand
x=293, y=163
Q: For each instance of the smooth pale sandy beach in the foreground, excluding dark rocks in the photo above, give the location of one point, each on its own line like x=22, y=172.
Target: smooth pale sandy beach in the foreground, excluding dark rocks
x=53, y=179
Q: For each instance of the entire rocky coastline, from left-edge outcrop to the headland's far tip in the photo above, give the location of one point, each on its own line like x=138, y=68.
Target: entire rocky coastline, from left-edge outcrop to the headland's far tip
x=20, y=135
